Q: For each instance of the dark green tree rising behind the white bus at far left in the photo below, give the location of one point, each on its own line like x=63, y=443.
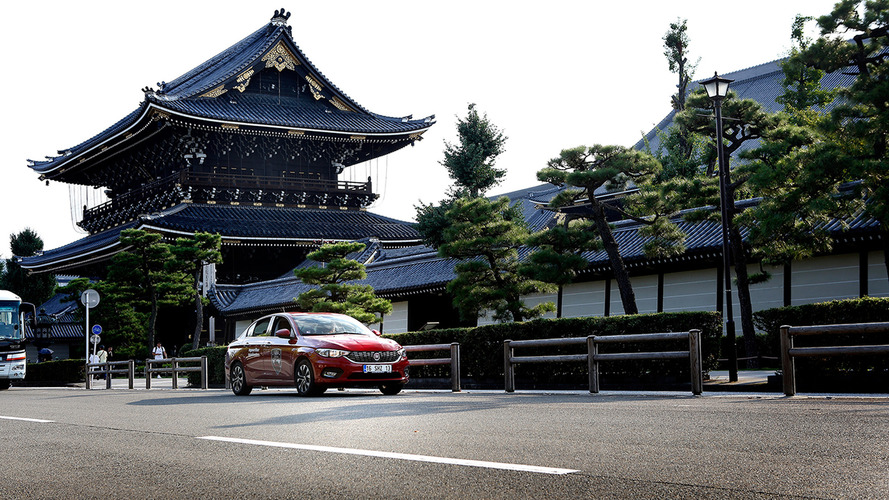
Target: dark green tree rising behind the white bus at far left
x=33, y=288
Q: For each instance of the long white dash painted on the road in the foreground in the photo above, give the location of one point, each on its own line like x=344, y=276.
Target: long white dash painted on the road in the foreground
x=398, y=456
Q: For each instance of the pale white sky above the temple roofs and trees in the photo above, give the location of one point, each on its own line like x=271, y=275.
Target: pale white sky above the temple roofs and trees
x=550, y=75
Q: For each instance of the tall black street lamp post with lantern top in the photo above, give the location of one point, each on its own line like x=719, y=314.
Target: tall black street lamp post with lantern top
x=717, y=89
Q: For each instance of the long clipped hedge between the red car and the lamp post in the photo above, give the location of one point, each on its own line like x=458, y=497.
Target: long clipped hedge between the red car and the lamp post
x=481, y=350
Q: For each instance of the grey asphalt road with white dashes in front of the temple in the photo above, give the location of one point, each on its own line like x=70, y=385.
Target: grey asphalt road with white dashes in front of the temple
x=359, y=444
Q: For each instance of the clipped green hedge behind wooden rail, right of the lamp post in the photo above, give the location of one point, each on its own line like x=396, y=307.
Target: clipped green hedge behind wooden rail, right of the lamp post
x=833, y=372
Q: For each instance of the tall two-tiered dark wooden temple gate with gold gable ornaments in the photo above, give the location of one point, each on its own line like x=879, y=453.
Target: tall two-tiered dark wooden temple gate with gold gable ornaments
x=249, y=145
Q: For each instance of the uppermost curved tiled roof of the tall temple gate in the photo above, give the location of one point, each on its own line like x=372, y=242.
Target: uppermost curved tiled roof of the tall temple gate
x=187, y=95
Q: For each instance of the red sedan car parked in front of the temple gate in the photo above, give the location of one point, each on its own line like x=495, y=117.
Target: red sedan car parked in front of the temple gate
x=314, y=351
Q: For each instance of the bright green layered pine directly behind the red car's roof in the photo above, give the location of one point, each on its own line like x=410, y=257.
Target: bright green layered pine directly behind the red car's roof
x=336, y=292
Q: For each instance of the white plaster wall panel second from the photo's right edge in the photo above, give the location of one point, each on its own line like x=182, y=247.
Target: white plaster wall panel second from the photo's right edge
x=824, y=278
